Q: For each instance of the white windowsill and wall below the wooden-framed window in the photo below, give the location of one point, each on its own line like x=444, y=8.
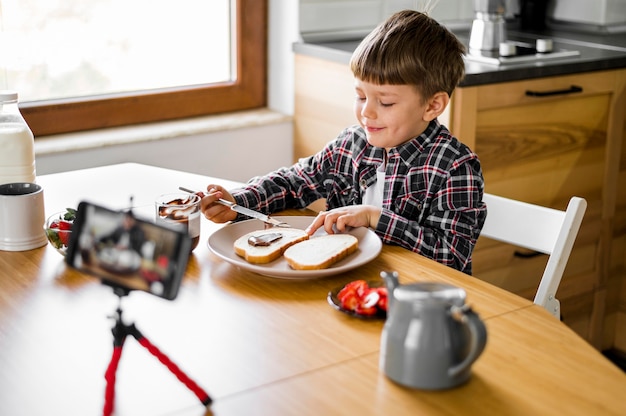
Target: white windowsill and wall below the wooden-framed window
x=234, y=147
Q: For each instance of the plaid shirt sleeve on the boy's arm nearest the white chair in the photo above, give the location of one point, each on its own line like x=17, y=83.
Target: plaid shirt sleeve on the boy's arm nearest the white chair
x=448, y=230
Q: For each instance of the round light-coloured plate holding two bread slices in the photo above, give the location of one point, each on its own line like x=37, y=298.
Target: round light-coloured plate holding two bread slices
x=221, y=243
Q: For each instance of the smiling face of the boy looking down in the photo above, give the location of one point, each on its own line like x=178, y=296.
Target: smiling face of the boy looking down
x=390, y=114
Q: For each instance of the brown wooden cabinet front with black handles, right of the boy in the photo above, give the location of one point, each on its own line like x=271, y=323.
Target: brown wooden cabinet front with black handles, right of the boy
x=543, y=141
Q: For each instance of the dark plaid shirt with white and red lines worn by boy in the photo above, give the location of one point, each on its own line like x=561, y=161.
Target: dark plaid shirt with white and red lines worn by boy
x=432, y=202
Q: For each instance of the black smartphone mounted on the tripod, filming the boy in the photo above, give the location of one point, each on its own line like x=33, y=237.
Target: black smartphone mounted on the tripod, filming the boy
x=127, y=252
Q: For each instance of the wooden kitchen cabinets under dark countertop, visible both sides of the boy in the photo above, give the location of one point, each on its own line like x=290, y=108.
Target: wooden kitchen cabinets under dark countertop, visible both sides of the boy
x=535, y=147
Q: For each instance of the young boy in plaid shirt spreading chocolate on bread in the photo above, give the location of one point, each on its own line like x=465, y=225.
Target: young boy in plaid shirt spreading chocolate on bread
x=398, y=172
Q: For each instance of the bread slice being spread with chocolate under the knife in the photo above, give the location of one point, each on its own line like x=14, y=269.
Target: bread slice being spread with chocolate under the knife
x=267, y=254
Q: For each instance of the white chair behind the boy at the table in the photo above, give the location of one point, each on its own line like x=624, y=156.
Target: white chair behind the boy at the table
x=546, y=230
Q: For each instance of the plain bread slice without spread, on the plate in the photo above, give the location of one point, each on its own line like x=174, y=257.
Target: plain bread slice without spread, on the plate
x=321, y=252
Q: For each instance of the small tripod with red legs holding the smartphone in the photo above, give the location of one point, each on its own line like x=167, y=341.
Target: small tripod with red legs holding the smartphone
x=120, y=332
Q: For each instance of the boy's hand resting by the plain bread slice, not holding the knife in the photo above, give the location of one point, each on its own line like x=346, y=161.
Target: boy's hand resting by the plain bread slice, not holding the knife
x=340, y=219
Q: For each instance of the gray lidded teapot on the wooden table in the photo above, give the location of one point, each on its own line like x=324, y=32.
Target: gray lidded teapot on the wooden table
x=431, y=337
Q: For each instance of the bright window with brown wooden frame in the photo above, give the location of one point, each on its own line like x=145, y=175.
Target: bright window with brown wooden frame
x=238, y=82
